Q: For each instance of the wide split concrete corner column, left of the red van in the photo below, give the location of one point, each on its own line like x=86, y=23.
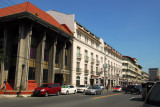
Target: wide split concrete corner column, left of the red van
x=23, y=55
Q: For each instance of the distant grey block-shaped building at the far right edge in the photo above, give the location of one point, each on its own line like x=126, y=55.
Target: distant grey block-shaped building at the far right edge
x=154, y=74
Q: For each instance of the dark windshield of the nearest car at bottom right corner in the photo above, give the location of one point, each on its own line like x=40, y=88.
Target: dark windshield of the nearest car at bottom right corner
x=154, y=96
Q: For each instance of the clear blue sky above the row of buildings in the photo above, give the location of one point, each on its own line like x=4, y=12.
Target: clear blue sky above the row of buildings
x=132, y=27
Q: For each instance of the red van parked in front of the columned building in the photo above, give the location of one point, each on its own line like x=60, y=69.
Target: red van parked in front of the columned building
x=48, y=89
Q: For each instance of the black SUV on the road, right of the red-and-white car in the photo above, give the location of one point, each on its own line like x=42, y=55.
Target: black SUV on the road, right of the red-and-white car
x=133, y=89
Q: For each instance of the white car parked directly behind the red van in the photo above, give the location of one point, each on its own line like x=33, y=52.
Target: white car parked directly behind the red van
x=68, y=89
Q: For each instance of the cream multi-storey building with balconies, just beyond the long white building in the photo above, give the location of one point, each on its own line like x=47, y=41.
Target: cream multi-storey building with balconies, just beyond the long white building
x=132, y=72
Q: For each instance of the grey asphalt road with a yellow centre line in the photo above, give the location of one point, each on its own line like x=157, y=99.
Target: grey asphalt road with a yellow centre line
x=107, y=99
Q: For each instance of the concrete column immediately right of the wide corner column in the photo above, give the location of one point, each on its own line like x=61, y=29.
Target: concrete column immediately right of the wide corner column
x=40, y=60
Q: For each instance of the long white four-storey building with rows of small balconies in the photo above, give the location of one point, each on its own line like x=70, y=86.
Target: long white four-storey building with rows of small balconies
x=90, y=53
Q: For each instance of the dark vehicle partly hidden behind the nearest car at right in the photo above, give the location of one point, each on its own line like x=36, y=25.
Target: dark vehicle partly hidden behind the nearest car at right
x=146, y=86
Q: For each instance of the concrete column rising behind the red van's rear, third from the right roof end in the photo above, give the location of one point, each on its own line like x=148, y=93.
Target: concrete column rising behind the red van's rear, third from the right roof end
x=51, y=62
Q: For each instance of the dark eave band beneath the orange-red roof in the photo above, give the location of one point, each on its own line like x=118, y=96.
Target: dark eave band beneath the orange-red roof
x=32, y=17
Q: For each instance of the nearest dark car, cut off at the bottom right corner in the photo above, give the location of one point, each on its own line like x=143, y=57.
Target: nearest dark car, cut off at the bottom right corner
x=153, y=97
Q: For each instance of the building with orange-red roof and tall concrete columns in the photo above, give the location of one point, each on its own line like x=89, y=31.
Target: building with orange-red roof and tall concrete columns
x=39, y=49
